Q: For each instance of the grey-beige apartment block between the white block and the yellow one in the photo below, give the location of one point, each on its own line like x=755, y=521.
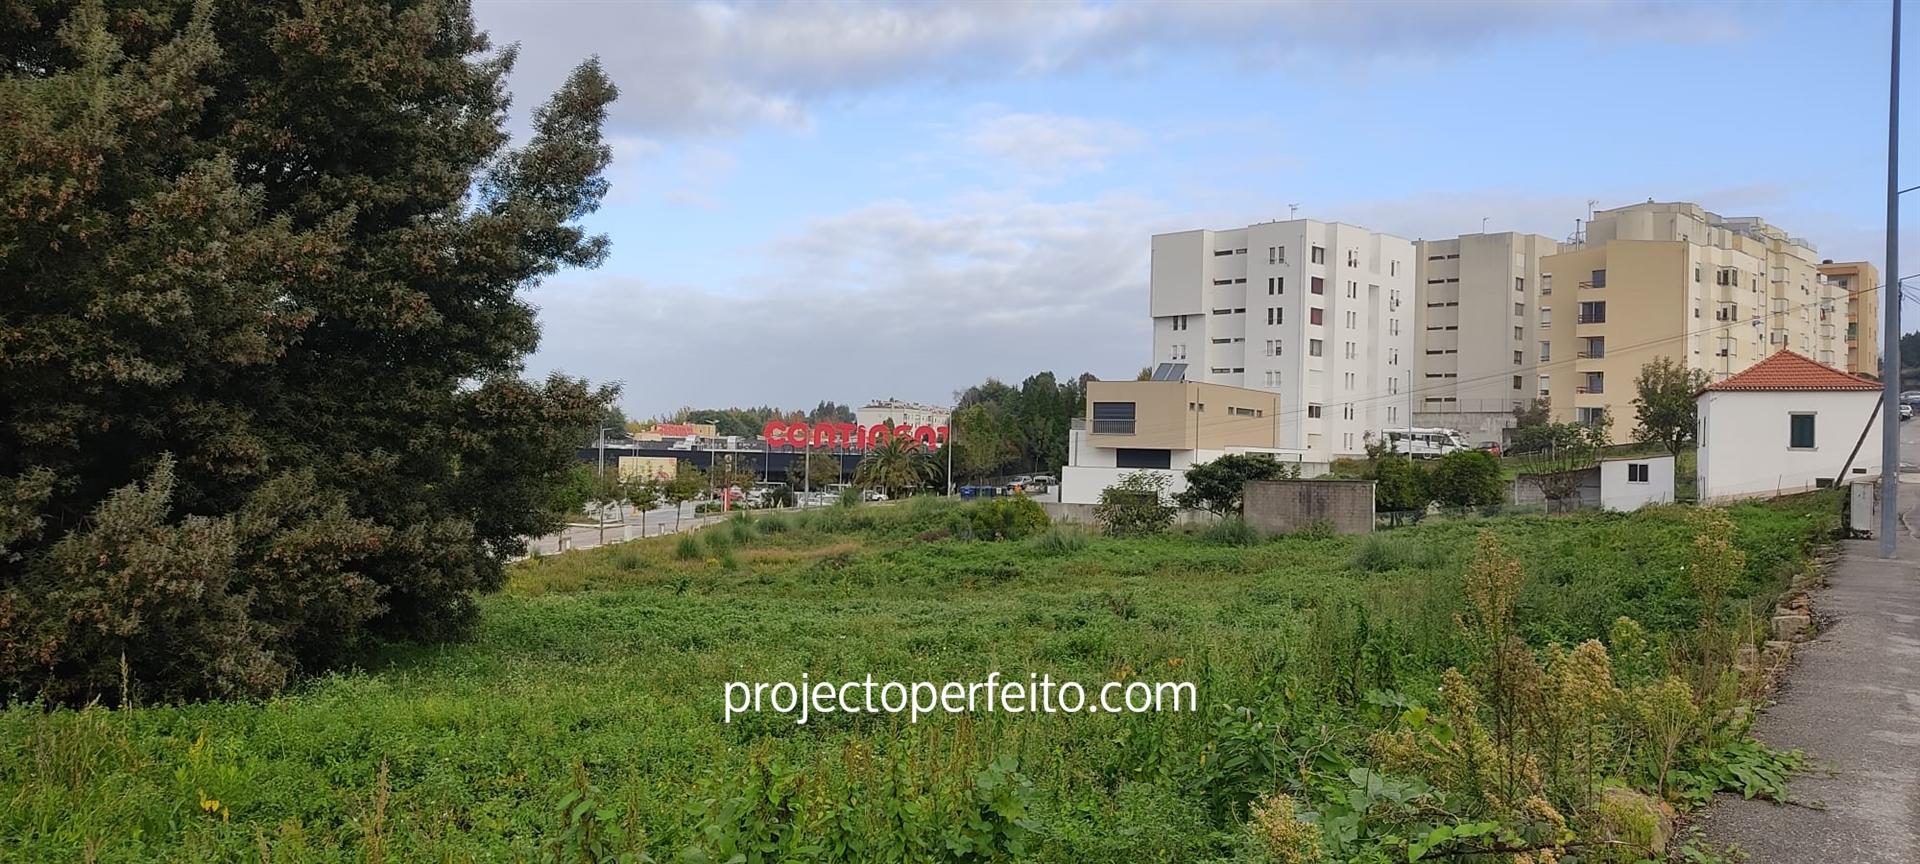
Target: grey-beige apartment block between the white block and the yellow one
x=1477, y=331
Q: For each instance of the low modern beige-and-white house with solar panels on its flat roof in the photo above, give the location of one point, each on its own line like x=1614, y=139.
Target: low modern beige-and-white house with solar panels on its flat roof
x=1166, y=427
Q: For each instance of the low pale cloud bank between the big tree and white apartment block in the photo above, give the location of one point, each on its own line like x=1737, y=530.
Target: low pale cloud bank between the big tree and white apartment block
x=882, y=300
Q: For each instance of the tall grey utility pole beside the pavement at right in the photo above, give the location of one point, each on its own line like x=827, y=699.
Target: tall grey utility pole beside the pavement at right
x=1890, y=362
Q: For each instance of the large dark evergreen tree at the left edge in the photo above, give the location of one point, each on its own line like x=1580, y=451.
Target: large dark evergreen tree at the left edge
x=262, y=339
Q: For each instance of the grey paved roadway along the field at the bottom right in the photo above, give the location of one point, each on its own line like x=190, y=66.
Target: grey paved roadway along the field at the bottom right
x=1854, y=704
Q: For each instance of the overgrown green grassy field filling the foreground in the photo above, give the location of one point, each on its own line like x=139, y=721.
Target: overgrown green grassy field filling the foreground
x=585, y=719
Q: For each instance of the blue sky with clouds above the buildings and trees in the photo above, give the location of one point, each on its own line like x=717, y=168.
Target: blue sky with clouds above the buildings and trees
x=850, y=203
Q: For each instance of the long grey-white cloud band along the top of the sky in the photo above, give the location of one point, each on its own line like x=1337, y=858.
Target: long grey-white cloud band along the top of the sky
x=725, y=66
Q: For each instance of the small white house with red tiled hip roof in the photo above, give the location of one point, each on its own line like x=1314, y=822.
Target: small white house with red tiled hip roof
x=1787, y=425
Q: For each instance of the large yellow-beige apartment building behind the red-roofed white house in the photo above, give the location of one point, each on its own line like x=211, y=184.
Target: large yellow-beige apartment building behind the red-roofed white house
x=1677, y=281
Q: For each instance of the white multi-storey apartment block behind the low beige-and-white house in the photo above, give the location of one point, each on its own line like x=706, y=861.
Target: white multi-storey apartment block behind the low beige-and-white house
x=1322, y=314
